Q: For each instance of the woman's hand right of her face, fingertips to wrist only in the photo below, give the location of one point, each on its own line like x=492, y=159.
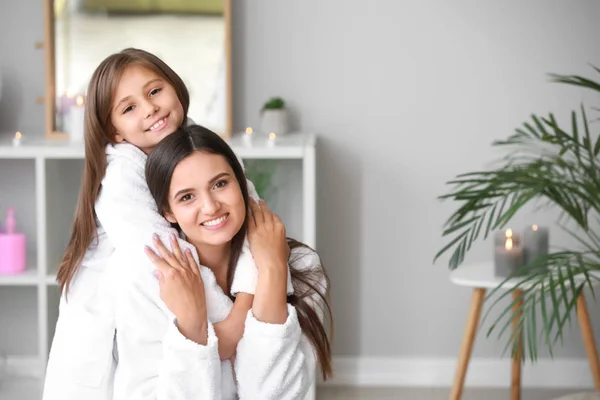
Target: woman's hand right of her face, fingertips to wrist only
x=266, y=234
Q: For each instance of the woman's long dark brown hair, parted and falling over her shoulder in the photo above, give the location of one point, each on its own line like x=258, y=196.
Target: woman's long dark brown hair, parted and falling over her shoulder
x=309, y=284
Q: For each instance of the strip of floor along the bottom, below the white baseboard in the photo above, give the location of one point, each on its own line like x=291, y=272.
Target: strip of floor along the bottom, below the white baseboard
x=30, y=390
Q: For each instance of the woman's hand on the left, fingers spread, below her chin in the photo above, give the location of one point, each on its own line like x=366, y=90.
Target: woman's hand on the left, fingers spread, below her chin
x=181, y=288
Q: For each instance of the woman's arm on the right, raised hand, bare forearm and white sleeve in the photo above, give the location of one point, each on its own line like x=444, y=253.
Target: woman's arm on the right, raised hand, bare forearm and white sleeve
x=274, y=360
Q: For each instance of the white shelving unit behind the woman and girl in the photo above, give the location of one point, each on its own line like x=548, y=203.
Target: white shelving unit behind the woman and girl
x=57, y=169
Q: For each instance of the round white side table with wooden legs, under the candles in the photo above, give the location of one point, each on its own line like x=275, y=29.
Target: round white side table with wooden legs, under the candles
x=480, y=277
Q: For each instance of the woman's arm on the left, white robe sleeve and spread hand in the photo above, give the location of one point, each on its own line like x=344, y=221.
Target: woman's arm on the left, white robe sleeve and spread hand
x=167, y=347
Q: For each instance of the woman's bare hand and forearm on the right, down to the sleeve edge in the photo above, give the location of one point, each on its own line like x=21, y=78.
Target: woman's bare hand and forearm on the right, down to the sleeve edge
x=268, y=245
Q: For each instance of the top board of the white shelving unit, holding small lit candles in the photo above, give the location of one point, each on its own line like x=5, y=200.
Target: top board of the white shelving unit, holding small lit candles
x=290, y=146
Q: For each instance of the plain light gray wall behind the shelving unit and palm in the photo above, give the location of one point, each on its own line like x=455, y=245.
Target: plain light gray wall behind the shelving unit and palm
x=404, y=95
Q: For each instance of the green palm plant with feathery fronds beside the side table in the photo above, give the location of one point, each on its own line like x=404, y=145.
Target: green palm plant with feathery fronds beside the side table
x=559, y=167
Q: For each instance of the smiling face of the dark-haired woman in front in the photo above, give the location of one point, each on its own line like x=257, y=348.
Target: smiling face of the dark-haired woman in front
x=205, y=199
